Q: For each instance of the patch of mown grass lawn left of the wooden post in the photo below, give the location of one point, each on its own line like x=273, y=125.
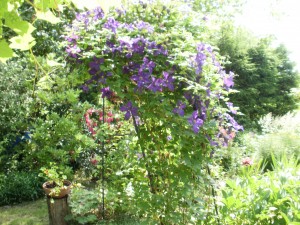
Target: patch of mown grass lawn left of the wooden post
x=29, y=213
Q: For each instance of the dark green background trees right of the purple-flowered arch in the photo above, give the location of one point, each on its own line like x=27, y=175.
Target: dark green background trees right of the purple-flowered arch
x=265, y=75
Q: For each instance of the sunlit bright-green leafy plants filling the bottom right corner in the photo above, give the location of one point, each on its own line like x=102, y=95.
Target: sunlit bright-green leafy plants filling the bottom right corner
x=263, y=199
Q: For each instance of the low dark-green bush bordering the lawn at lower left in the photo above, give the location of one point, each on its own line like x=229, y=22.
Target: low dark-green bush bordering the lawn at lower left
x=17, y=187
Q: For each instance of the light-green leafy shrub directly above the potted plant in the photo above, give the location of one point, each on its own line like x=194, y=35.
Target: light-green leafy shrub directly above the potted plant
x=56, y=118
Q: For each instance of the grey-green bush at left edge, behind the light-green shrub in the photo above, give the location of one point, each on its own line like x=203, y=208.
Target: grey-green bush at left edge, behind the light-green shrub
x=15, y=101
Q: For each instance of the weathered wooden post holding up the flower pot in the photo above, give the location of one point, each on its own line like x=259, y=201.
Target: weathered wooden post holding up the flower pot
x=58, y=209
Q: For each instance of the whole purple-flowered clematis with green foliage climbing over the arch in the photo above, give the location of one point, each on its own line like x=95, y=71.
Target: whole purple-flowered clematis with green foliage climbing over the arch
x=172, y=87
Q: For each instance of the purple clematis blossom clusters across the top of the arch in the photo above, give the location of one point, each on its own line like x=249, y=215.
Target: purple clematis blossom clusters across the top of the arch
x=148, y=66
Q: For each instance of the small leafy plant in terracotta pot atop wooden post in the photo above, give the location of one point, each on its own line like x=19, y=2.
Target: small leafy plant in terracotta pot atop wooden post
x=57, y=185
